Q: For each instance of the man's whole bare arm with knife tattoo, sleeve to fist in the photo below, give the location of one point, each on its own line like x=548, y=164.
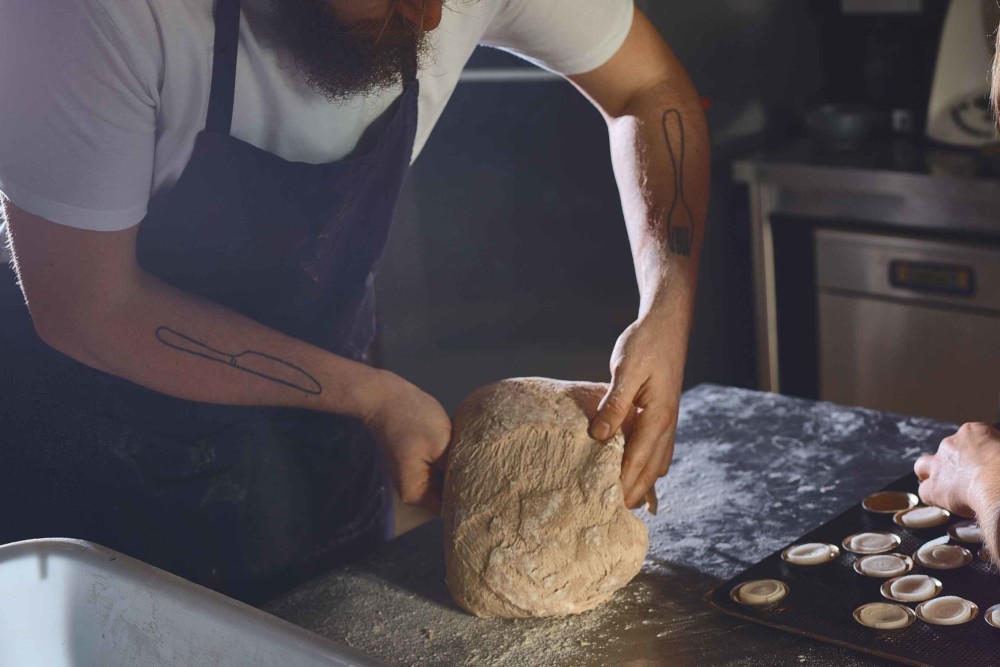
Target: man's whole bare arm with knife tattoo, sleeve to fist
x=90, y=299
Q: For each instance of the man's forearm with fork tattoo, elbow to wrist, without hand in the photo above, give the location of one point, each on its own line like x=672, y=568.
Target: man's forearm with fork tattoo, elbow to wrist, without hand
x=661, y=158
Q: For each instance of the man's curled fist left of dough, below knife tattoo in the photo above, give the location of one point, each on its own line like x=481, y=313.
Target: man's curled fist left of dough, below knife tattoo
x=413, y=432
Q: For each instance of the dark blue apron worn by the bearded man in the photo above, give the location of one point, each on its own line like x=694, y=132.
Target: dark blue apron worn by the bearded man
x=245, y=500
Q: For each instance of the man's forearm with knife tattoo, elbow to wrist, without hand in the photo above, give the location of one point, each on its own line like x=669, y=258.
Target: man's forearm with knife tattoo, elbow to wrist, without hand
x=191, y=348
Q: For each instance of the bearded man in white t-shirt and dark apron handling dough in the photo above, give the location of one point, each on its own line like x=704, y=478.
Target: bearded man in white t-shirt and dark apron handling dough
x=198, y=195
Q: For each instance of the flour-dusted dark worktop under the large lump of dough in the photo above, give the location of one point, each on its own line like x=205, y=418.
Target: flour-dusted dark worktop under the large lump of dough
x=752, y=472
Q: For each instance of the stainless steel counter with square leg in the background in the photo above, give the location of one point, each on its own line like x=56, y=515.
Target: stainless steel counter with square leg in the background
x=895, y=185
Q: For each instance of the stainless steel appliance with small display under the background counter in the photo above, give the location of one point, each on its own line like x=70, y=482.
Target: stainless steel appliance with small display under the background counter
x=909, y=325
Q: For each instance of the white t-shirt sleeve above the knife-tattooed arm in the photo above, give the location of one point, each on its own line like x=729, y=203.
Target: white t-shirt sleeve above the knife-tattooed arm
x=77, y=116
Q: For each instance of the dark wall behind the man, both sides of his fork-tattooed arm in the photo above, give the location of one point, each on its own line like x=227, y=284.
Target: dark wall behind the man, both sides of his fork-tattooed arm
x=509, y=256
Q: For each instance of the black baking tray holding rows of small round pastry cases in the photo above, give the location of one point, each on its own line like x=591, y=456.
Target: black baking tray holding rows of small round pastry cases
x=822, y=598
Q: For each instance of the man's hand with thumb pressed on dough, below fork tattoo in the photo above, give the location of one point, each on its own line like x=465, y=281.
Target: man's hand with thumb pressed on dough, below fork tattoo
x=647, y=370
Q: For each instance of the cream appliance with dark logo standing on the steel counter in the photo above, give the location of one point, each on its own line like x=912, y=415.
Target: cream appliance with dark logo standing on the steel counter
x=959, y=113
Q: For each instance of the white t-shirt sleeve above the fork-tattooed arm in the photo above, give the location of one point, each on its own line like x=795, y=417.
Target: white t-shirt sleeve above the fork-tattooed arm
x=564, y=36
